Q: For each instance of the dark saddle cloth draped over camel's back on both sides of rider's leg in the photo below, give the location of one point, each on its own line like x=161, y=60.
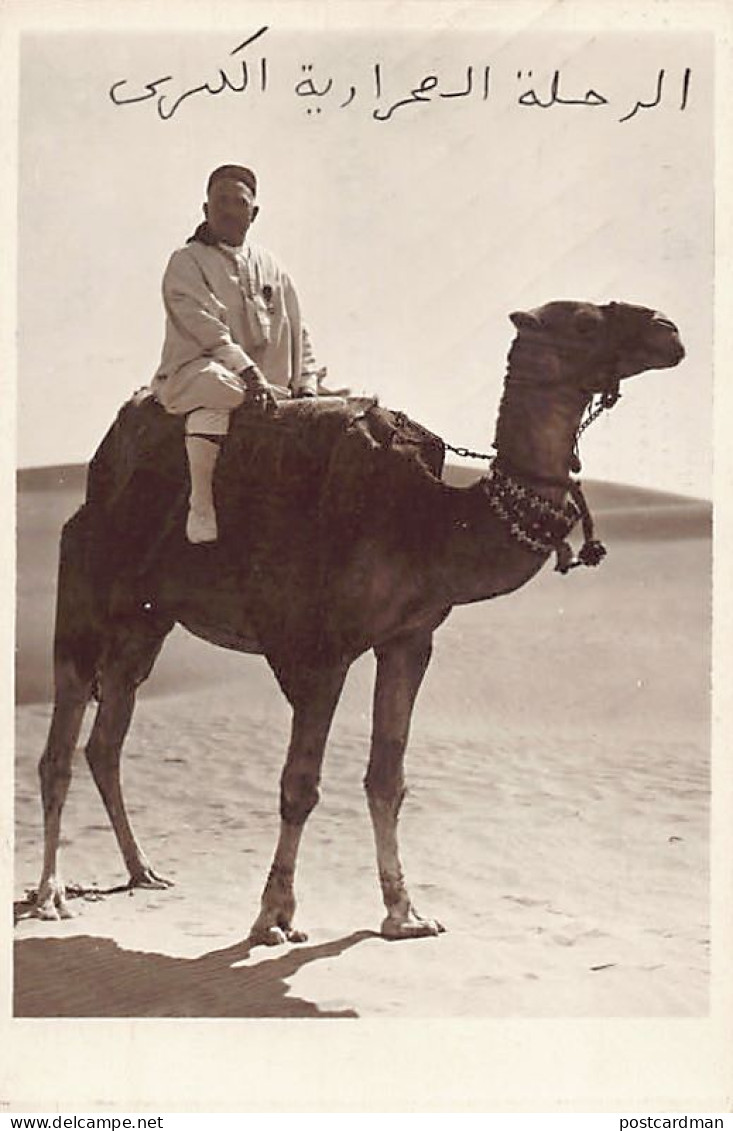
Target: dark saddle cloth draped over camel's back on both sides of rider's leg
x=316, y=457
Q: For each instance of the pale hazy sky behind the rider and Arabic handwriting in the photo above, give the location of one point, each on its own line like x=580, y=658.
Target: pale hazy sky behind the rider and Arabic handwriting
x=412, y=230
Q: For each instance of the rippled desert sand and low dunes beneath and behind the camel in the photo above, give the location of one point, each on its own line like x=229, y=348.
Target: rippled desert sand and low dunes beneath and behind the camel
x=557, y=817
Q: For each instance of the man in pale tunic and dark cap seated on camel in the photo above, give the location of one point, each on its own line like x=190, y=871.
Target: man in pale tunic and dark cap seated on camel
x=234, y=332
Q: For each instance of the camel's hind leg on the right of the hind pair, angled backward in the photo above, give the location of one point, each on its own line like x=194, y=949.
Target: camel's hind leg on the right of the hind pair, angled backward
x=132, y=652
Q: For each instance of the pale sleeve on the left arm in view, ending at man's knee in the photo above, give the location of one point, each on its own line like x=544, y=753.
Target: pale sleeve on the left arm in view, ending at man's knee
x=199, y=315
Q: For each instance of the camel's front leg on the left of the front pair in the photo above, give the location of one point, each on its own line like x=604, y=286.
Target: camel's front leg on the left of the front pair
x=314, y=706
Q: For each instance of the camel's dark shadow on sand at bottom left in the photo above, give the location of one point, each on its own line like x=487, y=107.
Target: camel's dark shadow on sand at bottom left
x=88, y=977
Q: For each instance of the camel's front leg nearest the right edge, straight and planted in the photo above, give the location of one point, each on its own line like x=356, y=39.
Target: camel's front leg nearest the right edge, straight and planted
x=401, y=667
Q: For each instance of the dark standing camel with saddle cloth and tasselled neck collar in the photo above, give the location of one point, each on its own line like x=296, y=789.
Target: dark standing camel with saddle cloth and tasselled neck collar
x=338, y=537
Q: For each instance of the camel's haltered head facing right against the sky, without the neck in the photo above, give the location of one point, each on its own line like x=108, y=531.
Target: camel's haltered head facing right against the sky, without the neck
x=594, y=348
